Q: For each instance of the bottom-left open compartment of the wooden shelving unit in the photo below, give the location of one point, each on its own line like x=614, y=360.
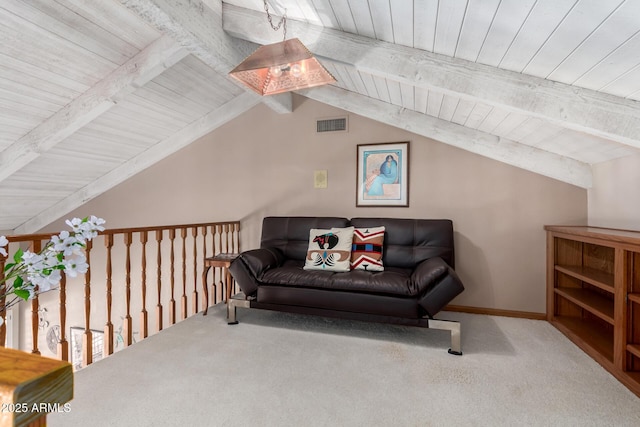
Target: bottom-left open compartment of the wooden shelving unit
x=587, y=333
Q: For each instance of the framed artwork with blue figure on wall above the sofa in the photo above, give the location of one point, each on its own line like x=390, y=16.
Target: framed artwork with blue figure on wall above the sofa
x=383, y=174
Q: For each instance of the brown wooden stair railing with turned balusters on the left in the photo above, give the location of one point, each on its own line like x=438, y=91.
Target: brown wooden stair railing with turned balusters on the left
x=116, y=289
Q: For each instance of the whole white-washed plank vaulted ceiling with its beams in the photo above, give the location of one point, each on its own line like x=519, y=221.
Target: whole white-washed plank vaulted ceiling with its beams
x=92, y=92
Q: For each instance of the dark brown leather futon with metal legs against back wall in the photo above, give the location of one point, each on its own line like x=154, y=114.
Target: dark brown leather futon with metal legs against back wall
x=417, y=281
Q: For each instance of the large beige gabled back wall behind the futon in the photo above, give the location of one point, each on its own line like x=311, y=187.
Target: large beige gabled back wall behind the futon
x=262, y=164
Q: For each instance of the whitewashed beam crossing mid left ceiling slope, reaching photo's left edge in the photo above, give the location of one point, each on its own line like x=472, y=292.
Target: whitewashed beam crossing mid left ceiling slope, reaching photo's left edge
x=149, y=63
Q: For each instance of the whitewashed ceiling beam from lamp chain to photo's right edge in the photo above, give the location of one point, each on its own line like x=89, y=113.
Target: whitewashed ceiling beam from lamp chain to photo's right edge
x=575, y=108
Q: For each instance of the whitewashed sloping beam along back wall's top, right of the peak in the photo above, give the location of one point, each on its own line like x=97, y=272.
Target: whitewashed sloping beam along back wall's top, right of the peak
x=494, y=147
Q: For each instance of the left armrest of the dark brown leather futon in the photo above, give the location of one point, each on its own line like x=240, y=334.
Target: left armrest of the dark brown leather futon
x=248, y=268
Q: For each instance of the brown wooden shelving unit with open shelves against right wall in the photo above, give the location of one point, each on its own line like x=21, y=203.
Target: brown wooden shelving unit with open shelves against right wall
x=593, y=295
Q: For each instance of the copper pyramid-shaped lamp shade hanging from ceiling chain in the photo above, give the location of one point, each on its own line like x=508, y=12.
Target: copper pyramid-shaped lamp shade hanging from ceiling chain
x=281, y=67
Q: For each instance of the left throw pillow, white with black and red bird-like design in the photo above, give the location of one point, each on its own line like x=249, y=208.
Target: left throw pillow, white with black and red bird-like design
x=329, y=250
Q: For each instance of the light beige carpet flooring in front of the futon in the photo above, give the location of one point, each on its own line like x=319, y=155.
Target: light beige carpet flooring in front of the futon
x=276, y=369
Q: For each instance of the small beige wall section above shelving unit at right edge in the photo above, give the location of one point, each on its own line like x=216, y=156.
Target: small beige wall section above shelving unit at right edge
x=614, y=199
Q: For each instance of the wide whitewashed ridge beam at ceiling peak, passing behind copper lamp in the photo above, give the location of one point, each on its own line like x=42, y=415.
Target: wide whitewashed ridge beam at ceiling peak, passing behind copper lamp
x=198, y=29
